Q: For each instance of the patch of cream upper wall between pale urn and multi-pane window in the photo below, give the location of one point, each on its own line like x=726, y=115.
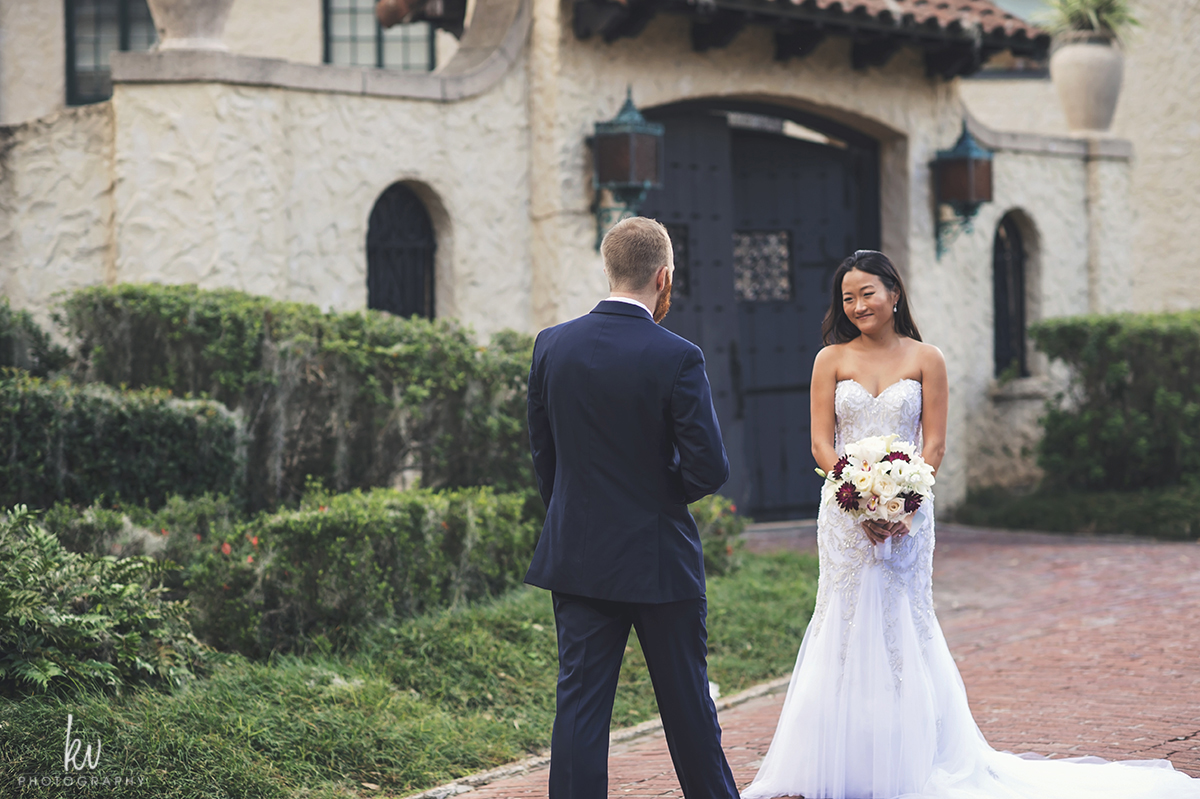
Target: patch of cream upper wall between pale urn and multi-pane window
x=277, y=29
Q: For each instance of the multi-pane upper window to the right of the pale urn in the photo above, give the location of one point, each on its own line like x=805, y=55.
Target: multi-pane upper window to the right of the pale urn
x=355, y=38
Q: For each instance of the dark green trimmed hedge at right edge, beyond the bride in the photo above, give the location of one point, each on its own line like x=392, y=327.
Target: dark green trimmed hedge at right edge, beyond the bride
x=1130, y=419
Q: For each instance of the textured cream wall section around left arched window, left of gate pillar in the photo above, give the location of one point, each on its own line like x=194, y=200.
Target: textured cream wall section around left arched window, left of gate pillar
x=269, y=191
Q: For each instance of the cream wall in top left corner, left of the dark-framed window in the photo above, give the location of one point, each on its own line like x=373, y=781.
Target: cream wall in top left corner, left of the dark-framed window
x=33, y=59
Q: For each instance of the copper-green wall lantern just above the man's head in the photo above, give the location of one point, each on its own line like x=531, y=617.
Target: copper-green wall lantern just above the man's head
x=627, y=155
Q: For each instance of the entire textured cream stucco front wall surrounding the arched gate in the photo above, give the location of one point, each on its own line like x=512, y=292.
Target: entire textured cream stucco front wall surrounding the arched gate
x=269, y=191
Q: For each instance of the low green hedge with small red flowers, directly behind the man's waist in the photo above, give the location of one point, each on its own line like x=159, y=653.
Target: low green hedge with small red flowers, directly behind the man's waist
x=340, y=566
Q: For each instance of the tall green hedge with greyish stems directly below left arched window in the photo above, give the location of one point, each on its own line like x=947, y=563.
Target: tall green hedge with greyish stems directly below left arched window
x=358, y=400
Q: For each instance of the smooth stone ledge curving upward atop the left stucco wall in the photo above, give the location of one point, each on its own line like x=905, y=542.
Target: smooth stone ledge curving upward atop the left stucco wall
x=490, y=47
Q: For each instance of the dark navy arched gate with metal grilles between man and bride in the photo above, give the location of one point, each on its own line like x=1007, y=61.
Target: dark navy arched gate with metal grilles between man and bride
x=763, y=203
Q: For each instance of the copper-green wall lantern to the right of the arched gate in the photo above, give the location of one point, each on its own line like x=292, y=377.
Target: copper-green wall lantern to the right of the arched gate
x=962, y=184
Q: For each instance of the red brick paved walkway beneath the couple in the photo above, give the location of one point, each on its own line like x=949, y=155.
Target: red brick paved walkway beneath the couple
x=1069, y=646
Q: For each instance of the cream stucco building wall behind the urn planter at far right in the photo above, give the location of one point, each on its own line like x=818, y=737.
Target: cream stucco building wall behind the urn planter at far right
x=1157, y=113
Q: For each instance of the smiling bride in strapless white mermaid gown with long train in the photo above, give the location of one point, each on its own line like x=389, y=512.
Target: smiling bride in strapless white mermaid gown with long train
x=877, y=708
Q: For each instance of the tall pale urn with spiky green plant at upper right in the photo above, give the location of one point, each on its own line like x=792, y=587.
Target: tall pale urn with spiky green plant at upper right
x=1088, y=64
